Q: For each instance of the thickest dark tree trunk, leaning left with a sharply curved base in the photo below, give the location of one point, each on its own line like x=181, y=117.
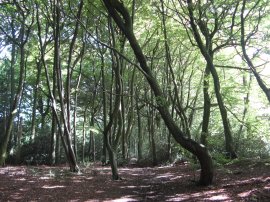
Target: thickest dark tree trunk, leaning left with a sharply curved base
x=122, y=18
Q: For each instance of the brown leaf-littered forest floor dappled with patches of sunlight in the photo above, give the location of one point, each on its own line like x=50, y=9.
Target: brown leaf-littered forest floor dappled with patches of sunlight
x=247, y=180
